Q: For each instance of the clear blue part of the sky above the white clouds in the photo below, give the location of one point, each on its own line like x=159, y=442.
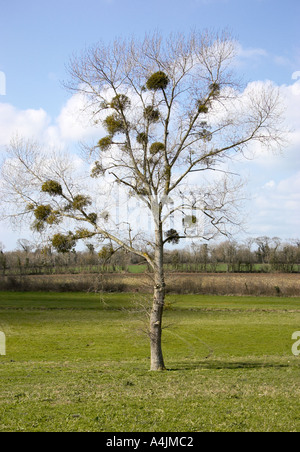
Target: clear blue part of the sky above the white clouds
x=38, y=37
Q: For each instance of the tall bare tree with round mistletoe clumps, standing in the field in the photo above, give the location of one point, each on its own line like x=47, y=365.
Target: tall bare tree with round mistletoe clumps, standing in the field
x=173, y=118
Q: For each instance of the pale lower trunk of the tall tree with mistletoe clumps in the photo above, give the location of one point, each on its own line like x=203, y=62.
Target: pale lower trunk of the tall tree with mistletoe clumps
x=157, y=361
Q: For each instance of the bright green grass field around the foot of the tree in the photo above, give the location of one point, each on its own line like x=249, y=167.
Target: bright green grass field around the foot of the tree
x=76, y=362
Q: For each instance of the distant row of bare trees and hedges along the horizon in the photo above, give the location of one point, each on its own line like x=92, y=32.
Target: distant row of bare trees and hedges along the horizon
x=261, y=254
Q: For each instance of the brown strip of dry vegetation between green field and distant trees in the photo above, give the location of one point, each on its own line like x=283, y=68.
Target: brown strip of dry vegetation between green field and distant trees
x=255, y=284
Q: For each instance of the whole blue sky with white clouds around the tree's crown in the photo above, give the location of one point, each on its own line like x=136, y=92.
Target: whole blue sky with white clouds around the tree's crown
x=37, y=39
